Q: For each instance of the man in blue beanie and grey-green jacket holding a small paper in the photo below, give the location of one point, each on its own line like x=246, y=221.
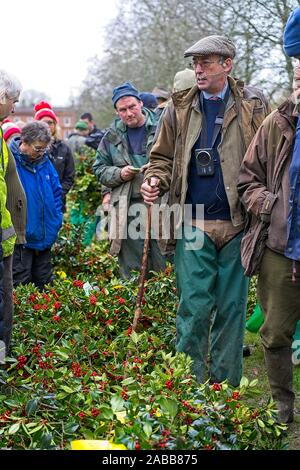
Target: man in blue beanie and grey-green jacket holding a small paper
x=121, y=159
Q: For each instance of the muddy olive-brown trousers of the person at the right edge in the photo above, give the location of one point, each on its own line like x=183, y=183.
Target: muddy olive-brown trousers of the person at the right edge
x=279, y=297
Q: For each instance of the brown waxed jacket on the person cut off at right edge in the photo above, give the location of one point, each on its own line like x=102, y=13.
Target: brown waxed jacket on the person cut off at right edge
x=263, y=185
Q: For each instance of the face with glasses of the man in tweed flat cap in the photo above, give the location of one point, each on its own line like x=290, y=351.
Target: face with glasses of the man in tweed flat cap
x=211, y=72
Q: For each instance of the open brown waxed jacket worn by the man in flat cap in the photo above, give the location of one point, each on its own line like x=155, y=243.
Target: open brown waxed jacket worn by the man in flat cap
x=181, y=125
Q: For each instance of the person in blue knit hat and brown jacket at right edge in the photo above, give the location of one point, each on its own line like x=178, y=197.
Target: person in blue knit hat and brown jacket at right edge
x=269, y=186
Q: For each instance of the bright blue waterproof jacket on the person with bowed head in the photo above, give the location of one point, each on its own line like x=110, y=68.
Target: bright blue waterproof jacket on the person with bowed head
x=44, y=198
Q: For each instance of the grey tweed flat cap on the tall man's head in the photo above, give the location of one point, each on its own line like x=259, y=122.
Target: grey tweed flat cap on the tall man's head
x=214, y=44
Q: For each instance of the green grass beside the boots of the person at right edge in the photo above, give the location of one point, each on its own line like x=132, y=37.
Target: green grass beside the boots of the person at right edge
x=254, y=368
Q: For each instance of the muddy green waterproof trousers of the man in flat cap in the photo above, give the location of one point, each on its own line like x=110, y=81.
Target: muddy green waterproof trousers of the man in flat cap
x=212, y=308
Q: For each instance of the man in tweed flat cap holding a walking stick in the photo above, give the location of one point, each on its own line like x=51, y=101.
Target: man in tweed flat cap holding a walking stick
x=204, y=135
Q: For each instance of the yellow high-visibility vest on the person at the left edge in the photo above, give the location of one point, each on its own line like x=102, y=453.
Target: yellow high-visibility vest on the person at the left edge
x=8, y=231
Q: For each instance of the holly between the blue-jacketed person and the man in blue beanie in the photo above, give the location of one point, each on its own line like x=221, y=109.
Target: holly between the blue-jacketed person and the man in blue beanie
x=73, y=254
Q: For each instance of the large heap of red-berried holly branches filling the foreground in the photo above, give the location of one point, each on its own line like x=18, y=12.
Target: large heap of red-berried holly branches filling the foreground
x=78, y=371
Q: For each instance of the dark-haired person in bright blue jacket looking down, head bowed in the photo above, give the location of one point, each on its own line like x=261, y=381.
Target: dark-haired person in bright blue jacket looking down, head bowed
x=32, y=260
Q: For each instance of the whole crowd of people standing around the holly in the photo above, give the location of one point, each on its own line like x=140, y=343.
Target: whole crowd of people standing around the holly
x=215, y=152
